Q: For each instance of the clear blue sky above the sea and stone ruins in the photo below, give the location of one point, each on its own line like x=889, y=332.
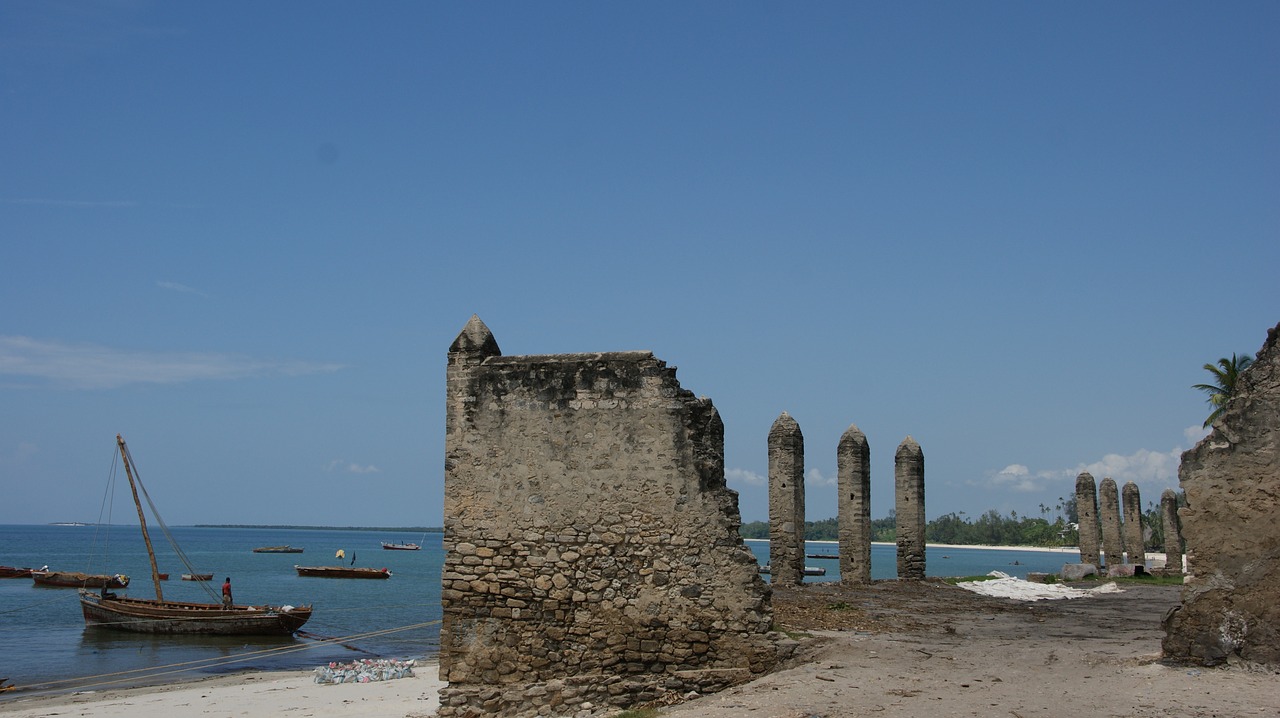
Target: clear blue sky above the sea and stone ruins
x=245, y=235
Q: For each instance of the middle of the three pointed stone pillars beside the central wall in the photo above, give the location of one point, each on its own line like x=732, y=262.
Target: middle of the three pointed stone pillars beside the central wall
x=854, y=506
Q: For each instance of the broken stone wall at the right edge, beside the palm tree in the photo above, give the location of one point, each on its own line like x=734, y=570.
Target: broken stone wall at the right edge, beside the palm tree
x=1232, y=479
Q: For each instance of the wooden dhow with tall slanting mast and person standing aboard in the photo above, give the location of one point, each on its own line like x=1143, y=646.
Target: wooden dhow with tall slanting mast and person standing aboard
x=161, y=616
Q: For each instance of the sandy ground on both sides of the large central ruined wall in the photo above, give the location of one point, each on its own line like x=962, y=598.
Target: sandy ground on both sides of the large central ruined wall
x=893, y=650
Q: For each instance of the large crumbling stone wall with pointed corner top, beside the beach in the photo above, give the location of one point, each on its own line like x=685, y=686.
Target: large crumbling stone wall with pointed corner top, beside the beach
x=593, y=557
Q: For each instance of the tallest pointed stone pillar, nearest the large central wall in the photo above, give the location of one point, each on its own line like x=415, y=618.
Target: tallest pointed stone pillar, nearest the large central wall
x=787, y=502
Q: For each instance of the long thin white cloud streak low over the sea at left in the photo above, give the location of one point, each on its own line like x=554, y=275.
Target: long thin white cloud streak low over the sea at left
x=93, y=367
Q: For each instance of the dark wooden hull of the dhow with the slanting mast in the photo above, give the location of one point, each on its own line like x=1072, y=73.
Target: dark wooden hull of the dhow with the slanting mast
x=147, y=616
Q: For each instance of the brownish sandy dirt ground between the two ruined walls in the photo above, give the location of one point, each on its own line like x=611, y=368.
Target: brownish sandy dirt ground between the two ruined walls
x=900, y=650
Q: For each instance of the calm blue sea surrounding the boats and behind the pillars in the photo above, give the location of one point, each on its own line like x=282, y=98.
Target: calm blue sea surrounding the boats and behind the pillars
x=48, y=644
